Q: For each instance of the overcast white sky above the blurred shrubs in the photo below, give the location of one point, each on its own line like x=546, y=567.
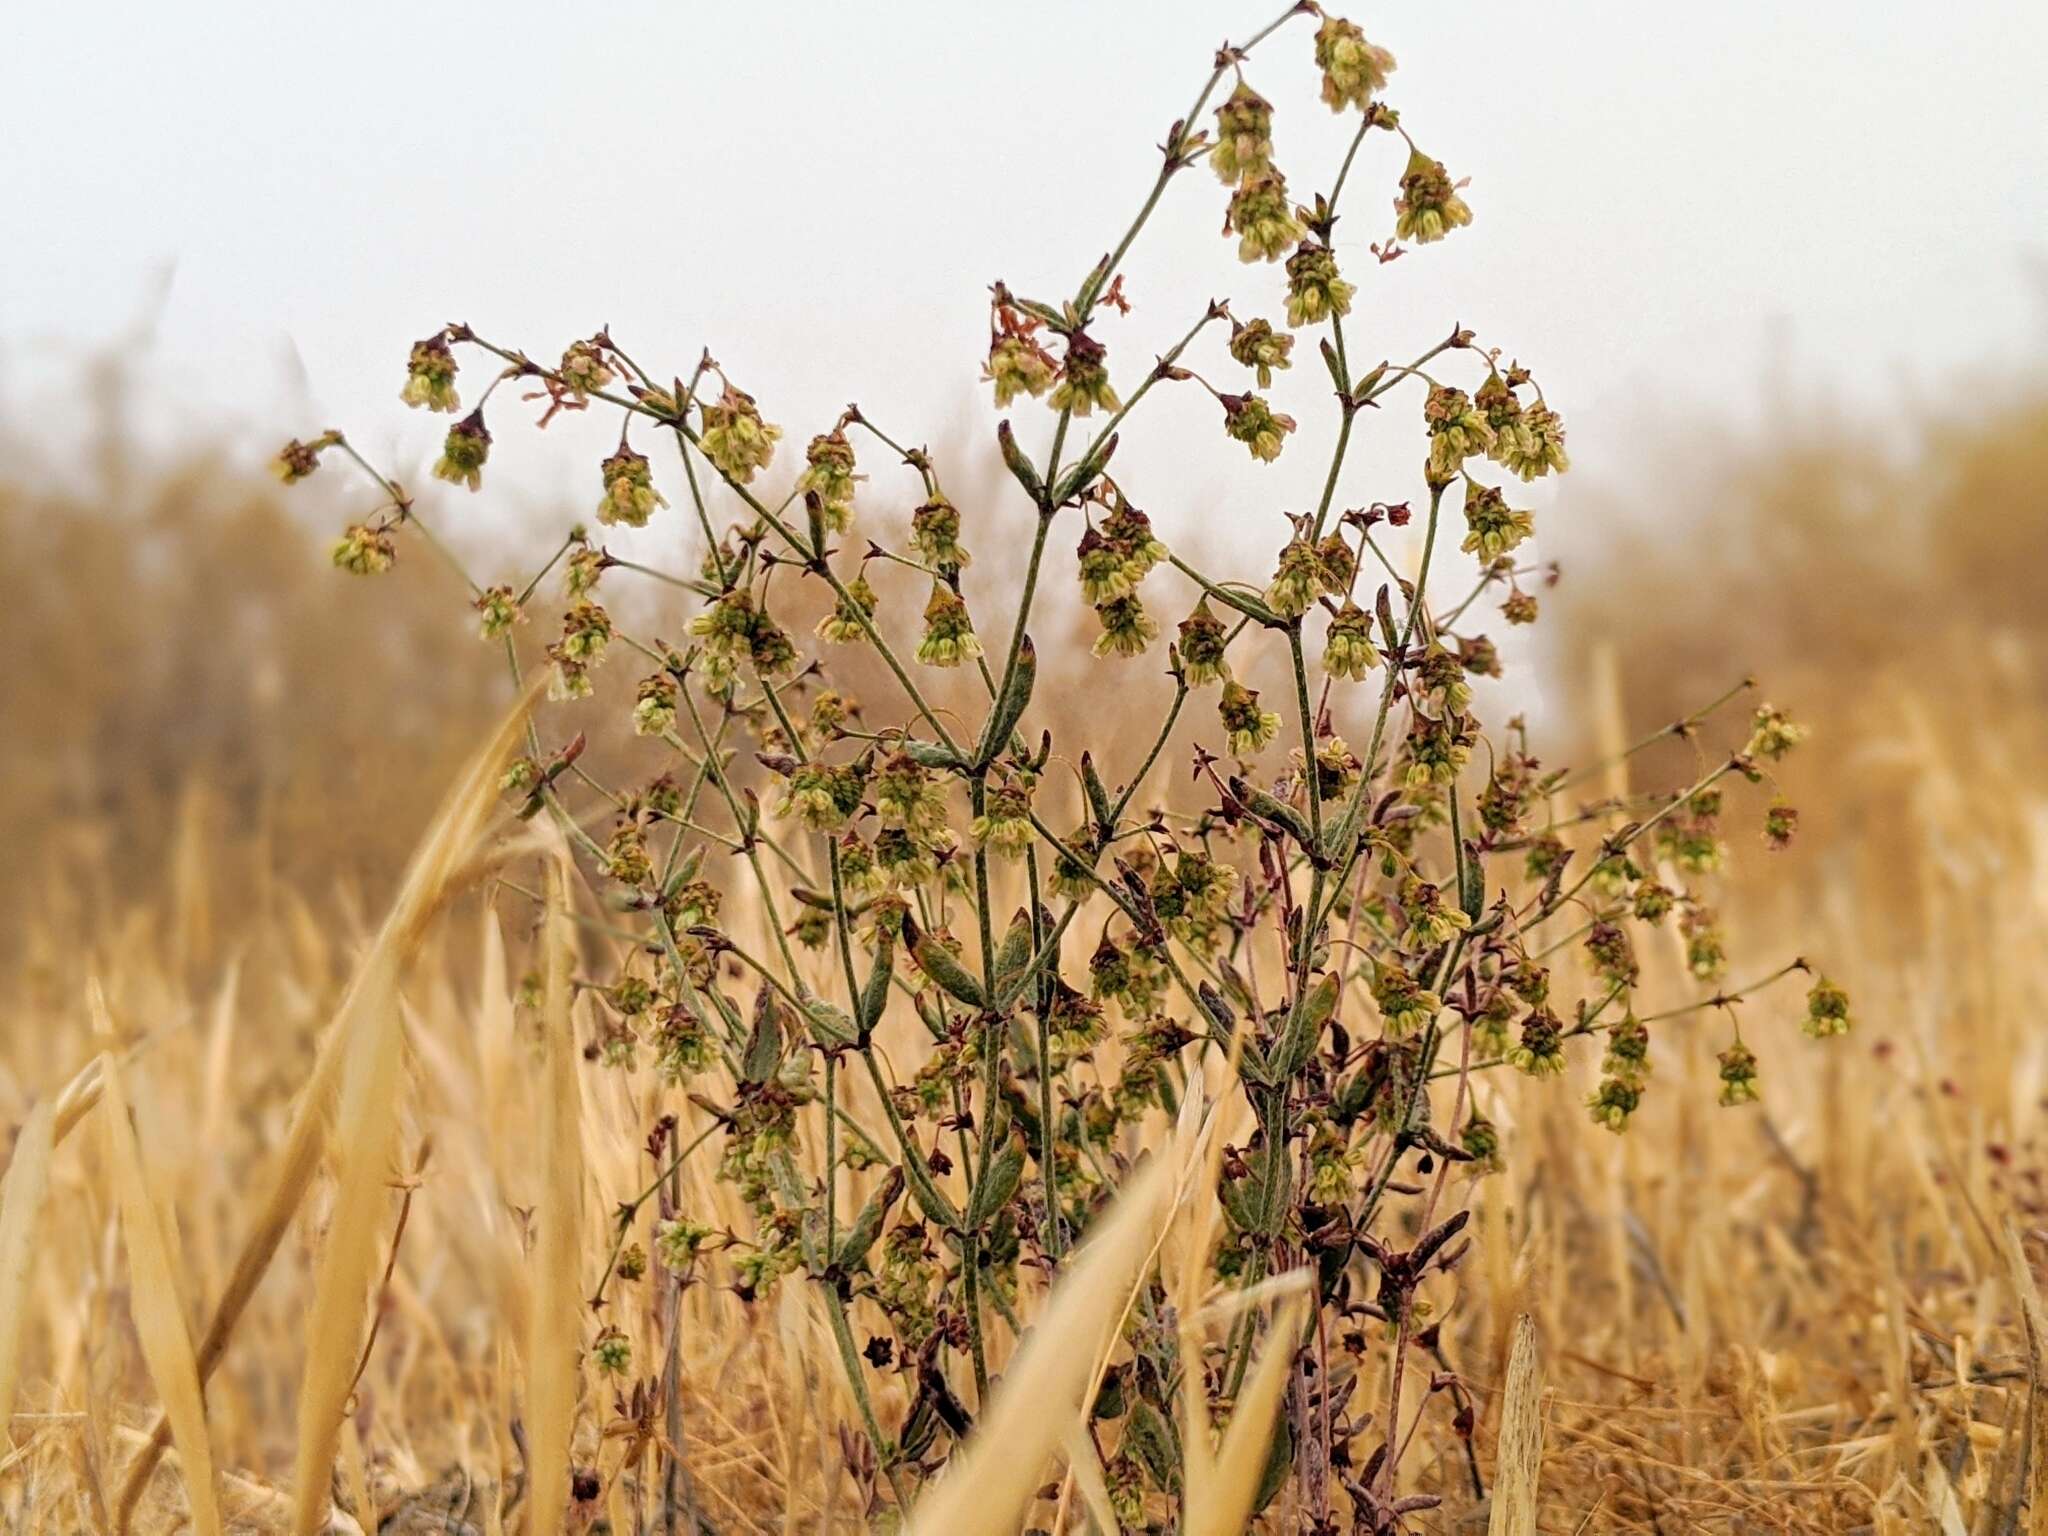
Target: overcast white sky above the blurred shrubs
x=1668, y=200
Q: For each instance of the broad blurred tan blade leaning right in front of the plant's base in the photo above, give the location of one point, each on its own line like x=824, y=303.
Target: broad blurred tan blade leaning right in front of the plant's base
x=992, y=1478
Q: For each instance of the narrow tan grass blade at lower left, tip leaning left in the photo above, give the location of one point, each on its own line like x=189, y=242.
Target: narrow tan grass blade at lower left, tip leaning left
x=155, y=1297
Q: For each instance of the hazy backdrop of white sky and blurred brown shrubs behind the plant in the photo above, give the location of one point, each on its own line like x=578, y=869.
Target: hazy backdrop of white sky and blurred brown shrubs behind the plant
x=1787, y=278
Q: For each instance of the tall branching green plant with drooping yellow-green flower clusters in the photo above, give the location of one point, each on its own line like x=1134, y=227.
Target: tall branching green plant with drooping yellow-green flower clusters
x=976, y=998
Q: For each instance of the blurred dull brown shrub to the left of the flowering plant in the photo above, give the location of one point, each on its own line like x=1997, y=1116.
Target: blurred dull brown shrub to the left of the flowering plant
x=185, y=658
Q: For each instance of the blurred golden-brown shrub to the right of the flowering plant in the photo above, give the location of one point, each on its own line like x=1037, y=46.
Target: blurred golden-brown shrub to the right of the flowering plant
x=1885, y=574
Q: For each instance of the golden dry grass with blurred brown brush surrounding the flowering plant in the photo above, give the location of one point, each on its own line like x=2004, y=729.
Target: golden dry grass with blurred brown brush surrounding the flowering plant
x=1814, y=1316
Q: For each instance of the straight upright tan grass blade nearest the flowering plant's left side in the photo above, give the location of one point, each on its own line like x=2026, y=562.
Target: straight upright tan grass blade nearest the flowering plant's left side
x=556, y=1318
